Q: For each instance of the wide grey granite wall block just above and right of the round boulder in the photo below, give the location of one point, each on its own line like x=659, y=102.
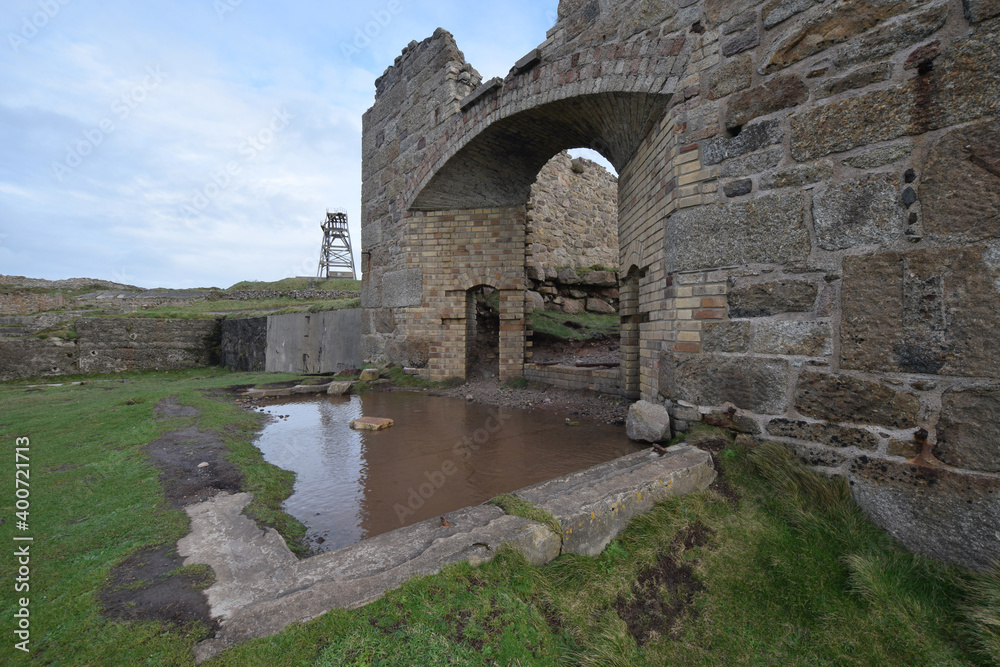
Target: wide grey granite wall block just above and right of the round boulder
x=755, y=385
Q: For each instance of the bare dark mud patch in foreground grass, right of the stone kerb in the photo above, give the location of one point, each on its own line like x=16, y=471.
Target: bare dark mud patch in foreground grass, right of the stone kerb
x=662, y=595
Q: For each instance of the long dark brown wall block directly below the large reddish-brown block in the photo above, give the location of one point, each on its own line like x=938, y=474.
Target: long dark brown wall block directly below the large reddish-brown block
x=842, y=398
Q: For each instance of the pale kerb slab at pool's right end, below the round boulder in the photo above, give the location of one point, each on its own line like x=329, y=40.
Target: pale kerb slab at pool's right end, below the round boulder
x=593, y=506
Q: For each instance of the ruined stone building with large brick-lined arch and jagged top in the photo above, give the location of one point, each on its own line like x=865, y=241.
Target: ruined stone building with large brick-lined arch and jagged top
x=809, y=226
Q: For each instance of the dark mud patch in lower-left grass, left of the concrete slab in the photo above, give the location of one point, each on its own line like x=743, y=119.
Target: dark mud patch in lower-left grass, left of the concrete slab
x=150, y=586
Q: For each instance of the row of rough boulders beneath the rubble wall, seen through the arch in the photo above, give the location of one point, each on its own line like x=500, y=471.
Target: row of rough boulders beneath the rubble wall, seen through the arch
x=567, y=292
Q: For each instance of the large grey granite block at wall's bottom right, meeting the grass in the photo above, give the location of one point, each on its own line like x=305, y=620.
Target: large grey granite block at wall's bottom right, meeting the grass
x=941, y=513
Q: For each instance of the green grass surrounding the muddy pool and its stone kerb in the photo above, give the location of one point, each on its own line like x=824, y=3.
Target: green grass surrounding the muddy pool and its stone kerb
x=790, y=572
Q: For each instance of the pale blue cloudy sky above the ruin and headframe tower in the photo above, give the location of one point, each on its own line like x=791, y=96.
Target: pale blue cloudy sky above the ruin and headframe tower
x=196, y=143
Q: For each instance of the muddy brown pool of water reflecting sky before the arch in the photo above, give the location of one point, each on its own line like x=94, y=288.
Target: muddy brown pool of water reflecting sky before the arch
x=443, y=454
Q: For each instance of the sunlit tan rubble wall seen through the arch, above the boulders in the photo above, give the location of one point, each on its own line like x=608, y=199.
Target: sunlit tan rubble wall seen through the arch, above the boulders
x=573, y=216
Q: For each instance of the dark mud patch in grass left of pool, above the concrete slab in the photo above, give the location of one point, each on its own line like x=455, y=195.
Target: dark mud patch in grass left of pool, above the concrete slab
x=178, y=455
